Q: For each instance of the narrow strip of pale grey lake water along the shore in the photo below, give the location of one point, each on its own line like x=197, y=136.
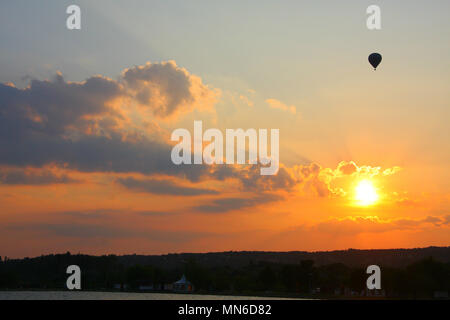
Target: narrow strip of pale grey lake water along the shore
x=87, y=295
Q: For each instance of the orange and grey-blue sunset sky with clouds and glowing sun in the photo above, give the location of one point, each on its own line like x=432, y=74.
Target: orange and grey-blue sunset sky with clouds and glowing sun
x=86, y=118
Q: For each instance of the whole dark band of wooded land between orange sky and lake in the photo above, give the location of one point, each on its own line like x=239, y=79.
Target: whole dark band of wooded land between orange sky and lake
x=405, y=273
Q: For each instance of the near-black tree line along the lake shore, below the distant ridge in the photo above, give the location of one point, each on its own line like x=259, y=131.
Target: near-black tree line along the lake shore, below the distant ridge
x=420, y=279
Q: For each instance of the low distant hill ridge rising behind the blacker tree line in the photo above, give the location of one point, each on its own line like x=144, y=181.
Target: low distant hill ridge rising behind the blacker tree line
x=350, y=256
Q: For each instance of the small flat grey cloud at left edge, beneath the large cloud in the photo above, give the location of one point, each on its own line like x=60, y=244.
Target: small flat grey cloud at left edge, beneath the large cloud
x=17, y=176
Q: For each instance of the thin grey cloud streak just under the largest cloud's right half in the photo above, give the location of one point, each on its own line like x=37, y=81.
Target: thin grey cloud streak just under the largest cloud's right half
x=165, y=187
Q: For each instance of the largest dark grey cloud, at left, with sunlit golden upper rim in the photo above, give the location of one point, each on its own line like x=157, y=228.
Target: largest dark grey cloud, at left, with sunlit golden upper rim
x=46, y=123
